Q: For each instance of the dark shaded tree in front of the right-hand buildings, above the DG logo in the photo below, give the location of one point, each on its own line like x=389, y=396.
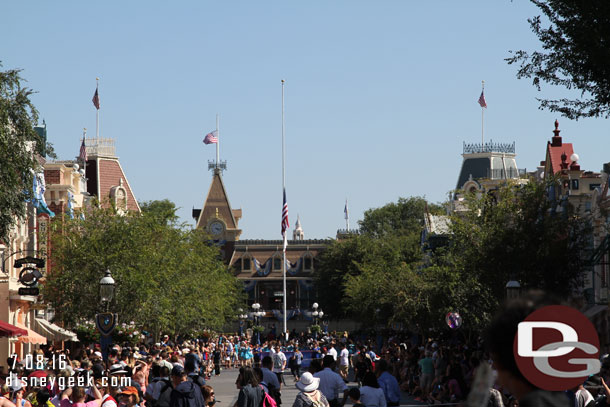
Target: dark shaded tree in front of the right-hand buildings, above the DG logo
x=516, y=233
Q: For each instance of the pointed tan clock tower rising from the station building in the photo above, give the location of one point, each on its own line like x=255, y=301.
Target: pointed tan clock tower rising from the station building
x=217, y=217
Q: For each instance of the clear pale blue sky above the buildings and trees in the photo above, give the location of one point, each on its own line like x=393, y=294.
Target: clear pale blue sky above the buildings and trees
x=379, y=95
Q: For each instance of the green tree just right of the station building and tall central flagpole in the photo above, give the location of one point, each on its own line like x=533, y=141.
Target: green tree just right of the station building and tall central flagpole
x=353, y=275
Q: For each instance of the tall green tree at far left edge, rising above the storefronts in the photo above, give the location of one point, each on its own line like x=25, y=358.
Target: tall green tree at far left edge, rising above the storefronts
x=17, y=138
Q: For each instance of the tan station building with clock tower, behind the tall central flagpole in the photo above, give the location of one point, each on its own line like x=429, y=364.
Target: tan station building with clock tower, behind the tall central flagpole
x=258, y=262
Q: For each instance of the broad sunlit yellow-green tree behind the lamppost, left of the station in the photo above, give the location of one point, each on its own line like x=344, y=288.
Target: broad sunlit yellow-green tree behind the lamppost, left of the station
x=168, y=279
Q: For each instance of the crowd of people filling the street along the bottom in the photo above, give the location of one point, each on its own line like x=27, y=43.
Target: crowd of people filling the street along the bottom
x=329, y=372
